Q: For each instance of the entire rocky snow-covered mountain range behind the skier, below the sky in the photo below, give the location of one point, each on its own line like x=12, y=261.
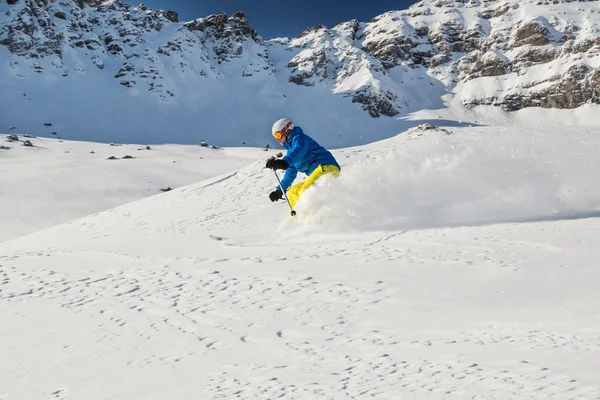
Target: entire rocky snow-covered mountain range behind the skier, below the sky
x=109, y=71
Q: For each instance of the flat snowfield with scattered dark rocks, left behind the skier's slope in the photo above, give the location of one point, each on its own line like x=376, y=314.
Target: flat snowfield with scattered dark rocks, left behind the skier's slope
x=57, y=181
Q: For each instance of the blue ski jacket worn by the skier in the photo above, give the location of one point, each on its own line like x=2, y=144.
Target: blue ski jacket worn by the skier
x=304, y=155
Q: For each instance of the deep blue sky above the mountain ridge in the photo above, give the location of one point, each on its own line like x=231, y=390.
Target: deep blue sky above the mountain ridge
x=272, y=18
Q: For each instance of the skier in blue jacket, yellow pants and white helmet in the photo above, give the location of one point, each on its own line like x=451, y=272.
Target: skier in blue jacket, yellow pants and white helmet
x=303, y=155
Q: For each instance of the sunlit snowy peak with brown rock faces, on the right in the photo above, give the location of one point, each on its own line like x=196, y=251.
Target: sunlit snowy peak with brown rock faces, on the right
x=503, y=53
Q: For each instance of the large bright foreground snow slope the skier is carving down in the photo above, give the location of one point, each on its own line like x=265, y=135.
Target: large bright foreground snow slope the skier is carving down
x=451, y=264
